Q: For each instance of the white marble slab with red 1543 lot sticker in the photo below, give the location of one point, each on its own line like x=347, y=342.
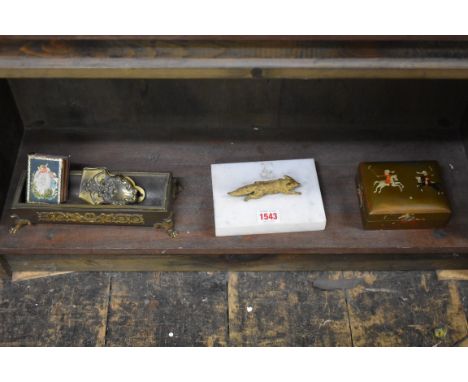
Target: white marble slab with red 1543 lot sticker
x=272, y=213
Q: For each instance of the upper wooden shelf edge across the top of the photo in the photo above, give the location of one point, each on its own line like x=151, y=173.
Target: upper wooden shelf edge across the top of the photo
x=233, y=57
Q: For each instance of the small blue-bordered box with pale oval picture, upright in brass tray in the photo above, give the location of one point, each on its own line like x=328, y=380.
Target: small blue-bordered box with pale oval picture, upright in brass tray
x=47, y=179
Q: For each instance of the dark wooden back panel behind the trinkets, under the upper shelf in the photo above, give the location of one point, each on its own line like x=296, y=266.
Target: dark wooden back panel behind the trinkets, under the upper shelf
x=229, y=109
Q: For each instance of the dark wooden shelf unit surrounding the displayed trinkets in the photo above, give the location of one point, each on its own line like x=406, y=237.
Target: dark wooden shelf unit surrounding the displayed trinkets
x=179, y=104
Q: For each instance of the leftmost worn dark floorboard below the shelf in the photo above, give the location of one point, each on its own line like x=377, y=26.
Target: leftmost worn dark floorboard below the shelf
x=68, y=310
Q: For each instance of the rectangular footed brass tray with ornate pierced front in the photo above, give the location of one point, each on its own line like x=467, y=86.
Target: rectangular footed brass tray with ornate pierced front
x=154, y=211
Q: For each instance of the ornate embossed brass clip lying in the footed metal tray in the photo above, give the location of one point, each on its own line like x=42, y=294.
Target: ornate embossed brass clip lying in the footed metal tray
x=99, y=186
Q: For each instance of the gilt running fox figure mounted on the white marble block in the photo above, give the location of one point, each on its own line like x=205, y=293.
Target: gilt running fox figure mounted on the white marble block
x=257, y=190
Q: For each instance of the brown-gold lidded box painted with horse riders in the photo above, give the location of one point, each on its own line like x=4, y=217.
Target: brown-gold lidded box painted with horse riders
x=402, y=195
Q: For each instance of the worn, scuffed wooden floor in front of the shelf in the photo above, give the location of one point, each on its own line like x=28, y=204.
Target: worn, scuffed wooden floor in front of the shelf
x=235, y=309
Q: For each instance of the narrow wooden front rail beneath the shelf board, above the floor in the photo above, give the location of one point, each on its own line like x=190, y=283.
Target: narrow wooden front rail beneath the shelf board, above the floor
x=242, y=262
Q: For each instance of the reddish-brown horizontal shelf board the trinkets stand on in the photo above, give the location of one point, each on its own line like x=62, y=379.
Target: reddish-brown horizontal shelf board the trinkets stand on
x=190, y=160
